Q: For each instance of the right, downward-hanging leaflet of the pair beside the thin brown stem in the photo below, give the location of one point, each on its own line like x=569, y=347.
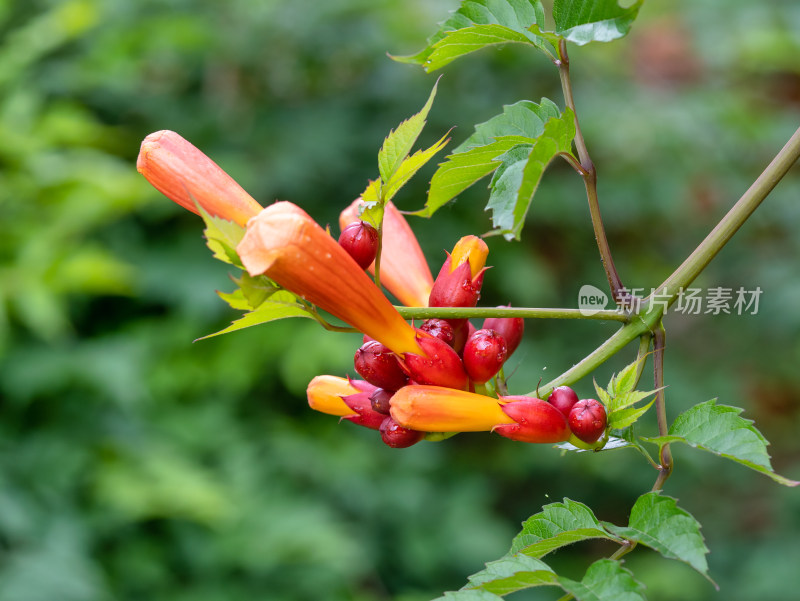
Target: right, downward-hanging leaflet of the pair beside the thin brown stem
x=511, y=199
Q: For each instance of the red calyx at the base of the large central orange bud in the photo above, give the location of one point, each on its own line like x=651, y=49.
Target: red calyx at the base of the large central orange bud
x=440, y=366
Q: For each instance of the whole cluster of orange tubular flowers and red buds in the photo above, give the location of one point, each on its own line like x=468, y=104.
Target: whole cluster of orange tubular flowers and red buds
x=421, y=380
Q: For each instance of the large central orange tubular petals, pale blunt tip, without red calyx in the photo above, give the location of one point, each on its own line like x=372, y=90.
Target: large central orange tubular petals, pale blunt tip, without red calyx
x=285, y=244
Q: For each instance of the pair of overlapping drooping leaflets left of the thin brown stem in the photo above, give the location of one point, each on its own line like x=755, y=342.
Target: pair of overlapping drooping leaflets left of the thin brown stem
x=517, y=146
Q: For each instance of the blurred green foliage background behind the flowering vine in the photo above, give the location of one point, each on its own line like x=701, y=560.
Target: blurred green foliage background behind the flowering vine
x=137, y=465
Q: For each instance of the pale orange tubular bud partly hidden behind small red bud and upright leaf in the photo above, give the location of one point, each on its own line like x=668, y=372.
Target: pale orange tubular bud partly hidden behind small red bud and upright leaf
x=404, y=271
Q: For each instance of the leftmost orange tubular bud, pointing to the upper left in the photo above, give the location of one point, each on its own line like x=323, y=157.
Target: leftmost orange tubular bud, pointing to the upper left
x=185, y=175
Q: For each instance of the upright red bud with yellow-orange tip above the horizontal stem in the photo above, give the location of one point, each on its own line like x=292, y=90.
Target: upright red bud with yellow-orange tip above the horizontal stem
x=459, y=281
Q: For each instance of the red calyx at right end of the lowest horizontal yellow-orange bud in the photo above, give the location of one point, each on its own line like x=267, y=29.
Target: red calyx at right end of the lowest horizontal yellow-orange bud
x=536, y=421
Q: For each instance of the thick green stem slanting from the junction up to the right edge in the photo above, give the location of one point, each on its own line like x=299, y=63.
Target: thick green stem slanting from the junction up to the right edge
x=730, y=224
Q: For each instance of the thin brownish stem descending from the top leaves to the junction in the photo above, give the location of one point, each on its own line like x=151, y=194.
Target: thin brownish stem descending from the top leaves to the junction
x=589, y=174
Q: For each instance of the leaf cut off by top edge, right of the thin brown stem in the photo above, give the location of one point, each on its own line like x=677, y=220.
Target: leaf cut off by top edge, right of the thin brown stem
x=584, y=21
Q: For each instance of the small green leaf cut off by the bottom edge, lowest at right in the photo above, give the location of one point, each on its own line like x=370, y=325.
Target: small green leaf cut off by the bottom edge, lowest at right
x=605, y=580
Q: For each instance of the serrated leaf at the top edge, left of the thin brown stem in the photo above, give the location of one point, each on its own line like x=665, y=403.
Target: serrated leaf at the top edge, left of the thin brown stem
x=478, y=24
